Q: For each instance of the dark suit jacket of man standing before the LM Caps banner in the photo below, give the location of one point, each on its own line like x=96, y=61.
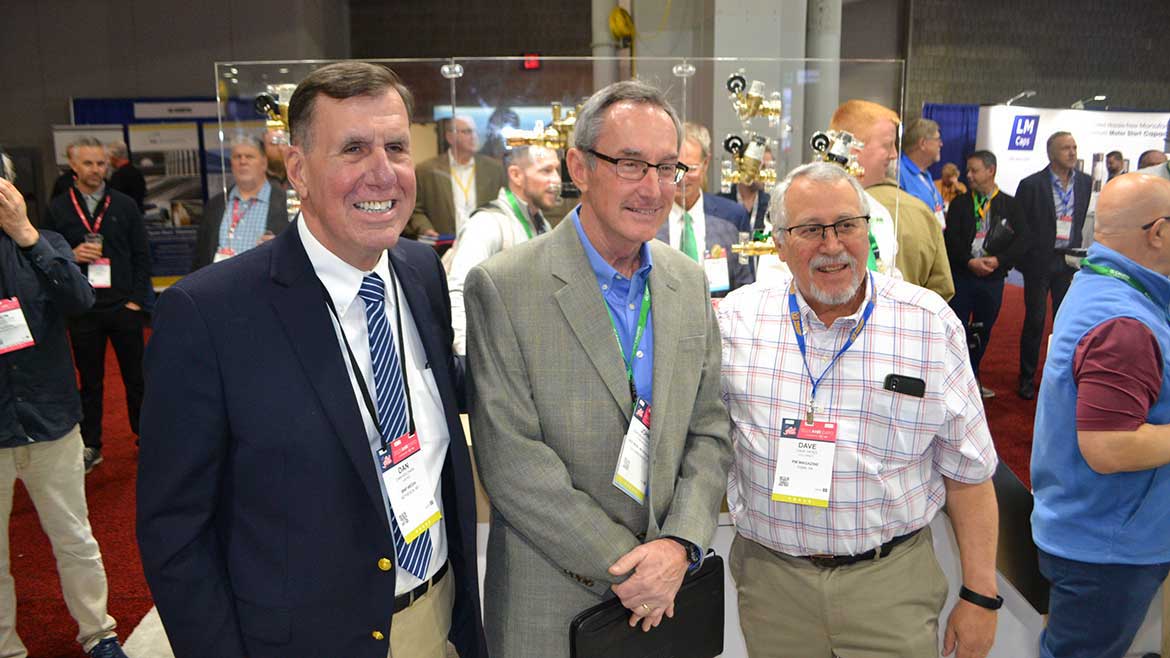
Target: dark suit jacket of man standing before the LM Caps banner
x=1035, y=197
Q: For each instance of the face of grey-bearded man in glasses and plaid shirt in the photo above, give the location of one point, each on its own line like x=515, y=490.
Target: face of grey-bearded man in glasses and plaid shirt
x=830, y=273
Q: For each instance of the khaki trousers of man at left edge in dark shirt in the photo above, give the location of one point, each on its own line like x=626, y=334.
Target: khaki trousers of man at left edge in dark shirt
x=53, y=475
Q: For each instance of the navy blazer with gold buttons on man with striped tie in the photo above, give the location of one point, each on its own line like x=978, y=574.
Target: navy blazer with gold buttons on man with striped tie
x=260, y=519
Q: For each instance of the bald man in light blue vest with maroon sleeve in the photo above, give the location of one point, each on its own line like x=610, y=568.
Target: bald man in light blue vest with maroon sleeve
x=1102, y=444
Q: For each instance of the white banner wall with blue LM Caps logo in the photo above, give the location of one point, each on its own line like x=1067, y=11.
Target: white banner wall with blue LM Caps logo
x=1018, y=138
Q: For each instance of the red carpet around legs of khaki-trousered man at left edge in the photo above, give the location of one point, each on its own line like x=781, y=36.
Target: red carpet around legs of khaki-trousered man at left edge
x=43, y=620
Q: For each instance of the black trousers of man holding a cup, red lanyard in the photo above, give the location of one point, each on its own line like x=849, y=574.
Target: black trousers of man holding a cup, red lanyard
x=90, y=333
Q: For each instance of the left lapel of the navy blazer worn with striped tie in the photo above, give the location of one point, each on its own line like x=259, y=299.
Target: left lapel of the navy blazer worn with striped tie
x=300, y=306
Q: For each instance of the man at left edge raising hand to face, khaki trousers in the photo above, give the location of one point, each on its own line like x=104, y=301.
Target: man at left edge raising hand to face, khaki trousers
x=40, y=440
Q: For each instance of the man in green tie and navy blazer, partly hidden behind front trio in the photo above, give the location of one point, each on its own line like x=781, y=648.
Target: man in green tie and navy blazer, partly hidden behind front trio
x=713, y=221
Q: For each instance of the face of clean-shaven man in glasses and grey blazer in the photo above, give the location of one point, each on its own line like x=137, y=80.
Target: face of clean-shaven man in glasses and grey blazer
x=627, y=214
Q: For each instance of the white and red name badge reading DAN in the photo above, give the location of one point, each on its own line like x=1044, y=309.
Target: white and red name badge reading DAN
x=409, y=486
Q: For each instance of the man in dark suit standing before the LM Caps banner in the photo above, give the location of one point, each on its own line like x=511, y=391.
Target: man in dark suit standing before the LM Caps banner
x=1055, y=201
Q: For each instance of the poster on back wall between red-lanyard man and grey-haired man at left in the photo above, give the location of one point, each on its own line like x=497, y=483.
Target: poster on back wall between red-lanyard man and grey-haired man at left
x=168, y=155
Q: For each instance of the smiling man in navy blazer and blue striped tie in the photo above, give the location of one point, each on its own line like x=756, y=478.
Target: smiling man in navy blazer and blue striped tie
x=264, y=520
